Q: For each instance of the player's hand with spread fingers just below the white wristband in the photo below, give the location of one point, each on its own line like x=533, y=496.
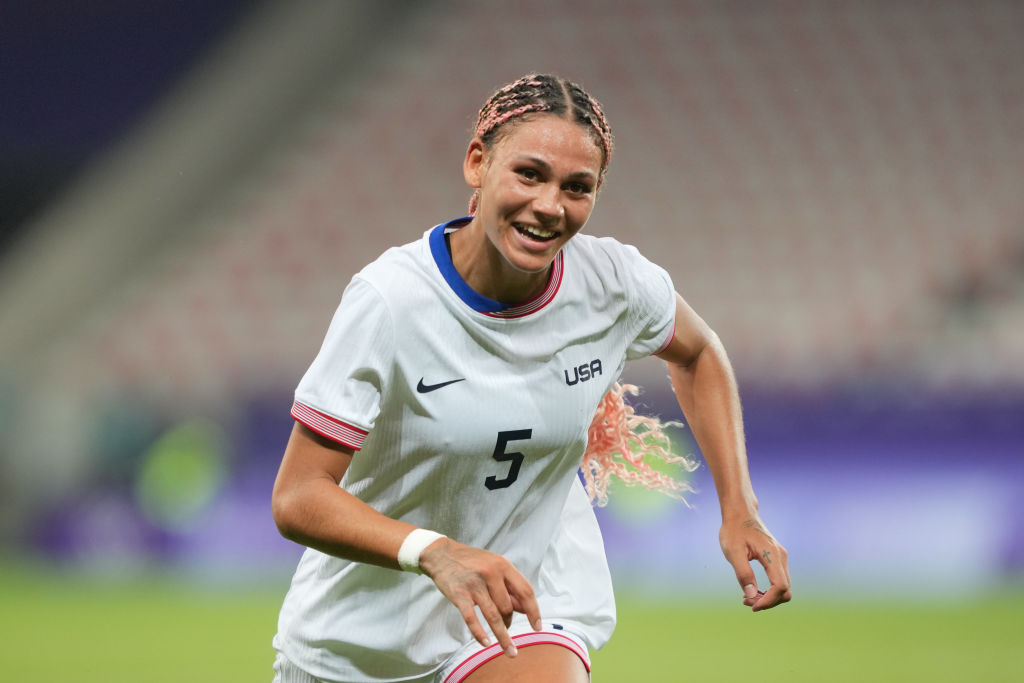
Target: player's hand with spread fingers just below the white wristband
x=474, y=578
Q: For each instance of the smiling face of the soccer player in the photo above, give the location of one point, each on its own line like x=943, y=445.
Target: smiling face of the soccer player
x=538, y=184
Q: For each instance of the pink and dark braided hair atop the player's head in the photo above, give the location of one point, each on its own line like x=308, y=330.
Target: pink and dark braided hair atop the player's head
x=537, y=94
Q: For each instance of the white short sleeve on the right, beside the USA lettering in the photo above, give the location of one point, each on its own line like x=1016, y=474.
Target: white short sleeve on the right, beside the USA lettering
x=653, y=306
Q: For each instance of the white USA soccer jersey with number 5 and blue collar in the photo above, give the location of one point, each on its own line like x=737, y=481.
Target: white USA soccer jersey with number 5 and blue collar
x=471, y=418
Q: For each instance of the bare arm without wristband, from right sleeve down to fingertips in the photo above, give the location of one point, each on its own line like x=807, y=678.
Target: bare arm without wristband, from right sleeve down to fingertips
x=706, y=390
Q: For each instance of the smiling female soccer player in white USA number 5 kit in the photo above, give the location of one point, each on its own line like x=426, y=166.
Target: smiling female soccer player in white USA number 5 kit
x=442, y=428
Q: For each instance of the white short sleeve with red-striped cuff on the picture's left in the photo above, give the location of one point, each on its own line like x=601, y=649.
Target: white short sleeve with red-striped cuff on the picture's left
x=340, y=395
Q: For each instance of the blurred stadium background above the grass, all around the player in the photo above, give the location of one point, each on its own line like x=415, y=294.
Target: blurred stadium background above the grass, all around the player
x=186, y=189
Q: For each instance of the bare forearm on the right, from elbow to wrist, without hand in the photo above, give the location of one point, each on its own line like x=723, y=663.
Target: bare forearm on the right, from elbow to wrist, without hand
x=709, y=398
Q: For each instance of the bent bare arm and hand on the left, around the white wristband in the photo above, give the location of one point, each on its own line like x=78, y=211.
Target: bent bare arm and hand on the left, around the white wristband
x=312, y=509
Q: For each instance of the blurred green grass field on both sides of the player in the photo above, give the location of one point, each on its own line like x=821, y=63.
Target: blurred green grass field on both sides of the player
x=59, y=630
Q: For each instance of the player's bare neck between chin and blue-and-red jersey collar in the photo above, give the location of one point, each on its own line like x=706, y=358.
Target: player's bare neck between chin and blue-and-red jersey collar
x=487, y=272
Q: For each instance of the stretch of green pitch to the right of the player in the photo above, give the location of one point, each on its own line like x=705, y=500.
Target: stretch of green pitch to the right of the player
x=815, y=642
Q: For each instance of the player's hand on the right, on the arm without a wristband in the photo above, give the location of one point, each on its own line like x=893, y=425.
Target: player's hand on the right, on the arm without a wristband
x=746, y=541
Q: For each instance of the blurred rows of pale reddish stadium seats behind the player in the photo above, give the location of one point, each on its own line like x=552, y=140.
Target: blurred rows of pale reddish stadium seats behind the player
x=821, y=179
